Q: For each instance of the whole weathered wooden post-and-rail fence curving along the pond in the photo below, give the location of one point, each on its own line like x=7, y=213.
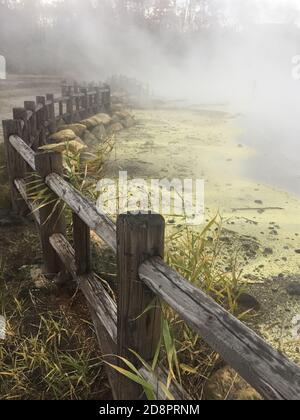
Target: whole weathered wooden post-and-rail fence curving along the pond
x=143, y=276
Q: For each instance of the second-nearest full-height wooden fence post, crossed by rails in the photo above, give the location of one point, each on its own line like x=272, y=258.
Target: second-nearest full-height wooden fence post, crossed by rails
x=51, y=216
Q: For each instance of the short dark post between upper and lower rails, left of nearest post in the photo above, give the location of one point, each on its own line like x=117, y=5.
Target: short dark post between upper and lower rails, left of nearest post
x=82, y=245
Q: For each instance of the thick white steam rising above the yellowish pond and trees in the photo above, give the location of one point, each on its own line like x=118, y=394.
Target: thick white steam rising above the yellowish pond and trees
x=237, y=52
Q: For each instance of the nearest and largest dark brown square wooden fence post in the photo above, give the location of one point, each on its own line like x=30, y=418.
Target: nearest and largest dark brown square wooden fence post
x=139, y=237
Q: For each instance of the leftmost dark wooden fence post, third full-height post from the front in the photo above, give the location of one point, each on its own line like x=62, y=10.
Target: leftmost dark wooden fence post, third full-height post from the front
x=16, y=166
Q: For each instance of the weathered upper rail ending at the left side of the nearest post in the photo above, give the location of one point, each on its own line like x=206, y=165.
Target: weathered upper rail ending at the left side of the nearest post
x=85, y=209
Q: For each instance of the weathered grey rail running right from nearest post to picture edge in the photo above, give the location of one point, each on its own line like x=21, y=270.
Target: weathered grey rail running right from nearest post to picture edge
x=269, y=372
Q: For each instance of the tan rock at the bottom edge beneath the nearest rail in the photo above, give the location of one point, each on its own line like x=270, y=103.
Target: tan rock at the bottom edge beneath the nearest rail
x=226, y=384
